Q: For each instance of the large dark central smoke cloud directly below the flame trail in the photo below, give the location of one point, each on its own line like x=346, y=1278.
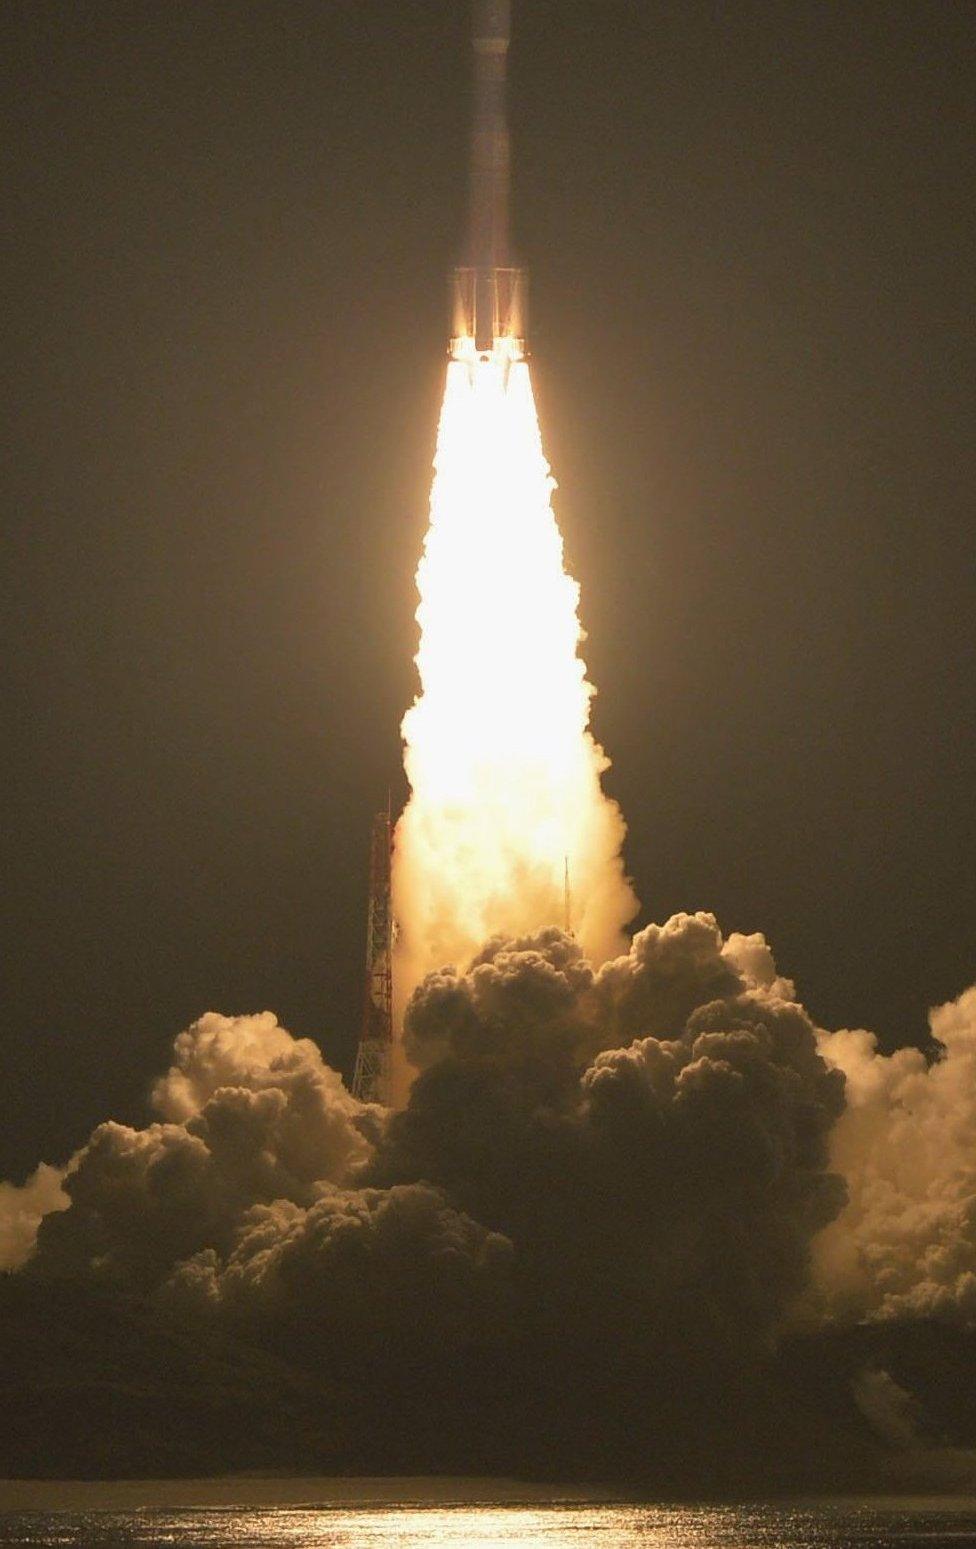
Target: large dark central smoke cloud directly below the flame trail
x=689, y=1169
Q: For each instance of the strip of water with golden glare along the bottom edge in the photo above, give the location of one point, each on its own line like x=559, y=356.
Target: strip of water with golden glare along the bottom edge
x=867, y=1525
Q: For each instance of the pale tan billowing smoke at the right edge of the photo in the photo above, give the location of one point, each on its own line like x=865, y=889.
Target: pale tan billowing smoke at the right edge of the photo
x=906, y=1246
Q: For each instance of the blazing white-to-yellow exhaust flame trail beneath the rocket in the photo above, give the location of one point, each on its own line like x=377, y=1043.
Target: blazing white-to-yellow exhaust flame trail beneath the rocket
x=504, y=774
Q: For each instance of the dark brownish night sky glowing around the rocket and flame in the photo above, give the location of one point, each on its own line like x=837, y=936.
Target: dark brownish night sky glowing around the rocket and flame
x=751, y=236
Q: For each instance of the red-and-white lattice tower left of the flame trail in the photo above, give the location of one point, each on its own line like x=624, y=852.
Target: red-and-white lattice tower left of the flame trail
x=373, y=1074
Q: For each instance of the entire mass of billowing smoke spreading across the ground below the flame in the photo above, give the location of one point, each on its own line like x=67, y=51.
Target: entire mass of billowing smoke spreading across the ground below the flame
x=620, y=1207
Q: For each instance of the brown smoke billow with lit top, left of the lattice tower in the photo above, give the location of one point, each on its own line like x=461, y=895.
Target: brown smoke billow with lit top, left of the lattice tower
x=249, y=1116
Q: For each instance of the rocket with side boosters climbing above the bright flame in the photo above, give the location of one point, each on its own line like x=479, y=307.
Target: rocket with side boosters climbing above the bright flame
x=489, y=289
